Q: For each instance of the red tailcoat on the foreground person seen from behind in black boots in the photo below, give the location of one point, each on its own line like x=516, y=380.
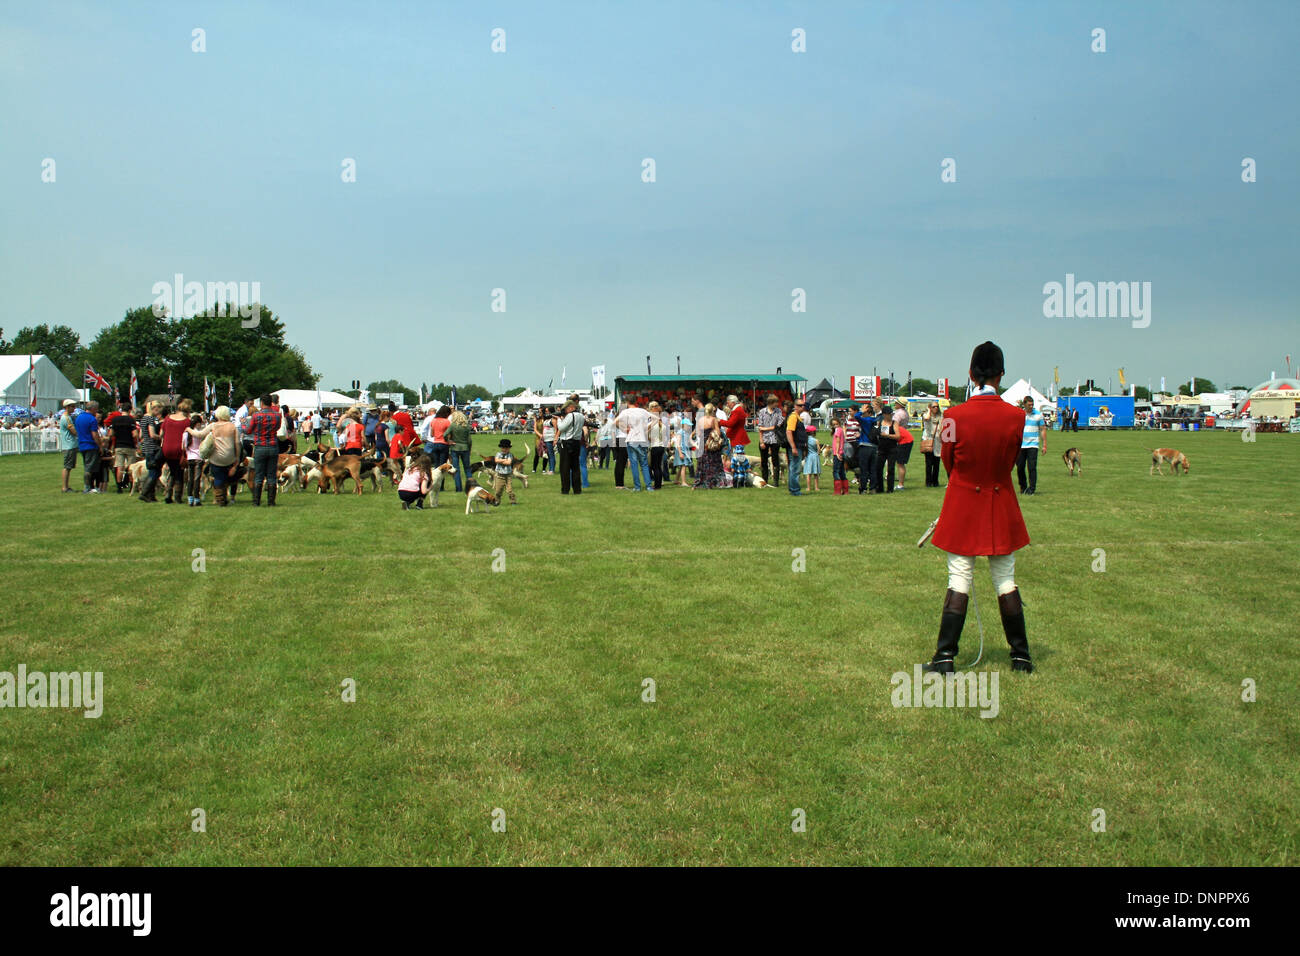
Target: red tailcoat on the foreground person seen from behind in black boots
x=981, y=514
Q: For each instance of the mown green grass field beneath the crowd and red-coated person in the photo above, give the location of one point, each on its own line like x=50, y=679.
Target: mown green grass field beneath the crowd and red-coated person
x=523, y=690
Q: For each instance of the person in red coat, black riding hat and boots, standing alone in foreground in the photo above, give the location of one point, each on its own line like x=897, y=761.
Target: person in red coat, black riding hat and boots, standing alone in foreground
x=981, y=442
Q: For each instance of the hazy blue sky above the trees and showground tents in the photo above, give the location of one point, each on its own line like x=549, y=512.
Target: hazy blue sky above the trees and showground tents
x=774, y=171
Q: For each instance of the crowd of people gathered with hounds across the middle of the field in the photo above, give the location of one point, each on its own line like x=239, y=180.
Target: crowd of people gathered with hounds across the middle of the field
x=694, y=444
